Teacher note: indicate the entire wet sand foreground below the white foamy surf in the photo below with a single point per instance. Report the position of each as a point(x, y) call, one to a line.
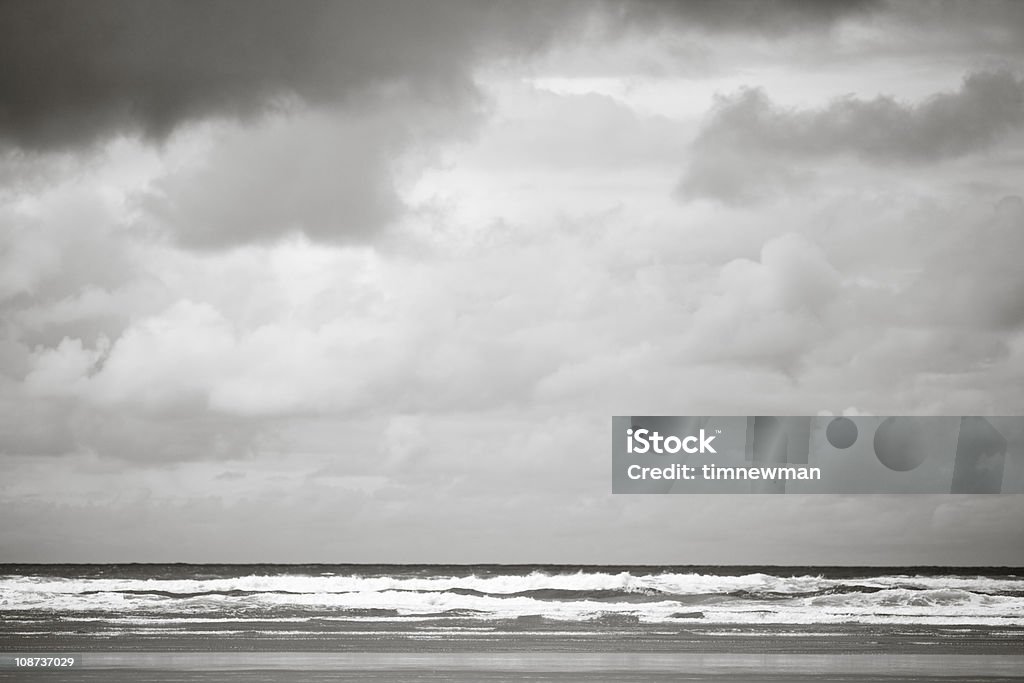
point(621, 655)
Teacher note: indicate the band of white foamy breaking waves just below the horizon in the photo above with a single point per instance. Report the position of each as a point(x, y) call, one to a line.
point(754, 599)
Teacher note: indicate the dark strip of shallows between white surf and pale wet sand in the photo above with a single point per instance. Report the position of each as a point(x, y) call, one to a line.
point(538, 636)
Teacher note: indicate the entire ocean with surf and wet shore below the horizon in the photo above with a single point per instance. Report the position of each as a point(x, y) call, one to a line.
point(267, 622)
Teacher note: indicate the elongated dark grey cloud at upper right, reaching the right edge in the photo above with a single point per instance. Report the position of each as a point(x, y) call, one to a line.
point(751, 147)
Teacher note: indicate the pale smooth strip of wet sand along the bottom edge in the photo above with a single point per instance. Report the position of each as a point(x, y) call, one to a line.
point(534, 666)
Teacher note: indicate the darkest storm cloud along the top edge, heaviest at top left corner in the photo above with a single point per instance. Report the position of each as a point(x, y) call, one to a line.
point(76, 71)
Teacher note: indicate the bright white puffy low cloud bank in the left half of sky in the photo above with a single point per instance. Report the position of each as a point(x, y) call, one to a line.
point(191, 359)
